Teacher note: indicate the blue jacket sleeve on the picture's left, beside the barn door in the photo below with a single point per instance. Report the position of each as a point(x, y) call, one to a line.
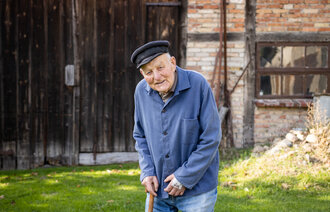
point(141, 145)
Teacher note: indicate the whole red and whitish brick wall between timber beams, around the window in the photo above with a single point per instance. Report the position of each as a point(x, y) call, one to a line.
point(272, 16)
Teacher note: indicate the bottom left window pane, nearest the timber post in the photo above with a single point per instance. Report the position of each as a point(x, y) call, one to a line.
point(270, 85)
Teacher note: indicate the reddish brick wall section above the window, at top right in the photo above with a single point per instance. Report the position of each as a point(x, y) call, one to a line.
point(293, 16)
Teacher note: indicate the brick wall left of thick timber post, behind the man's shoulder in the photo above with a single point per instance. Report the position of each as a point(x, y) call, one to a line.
point(204, 17)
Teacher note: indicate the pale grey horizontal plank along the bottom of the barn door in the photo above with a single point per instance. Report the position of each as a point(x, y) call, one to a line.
point(107, 158)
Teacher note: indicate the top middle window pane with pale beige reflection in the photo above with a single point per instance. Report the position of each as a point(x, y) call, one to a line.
point(293, 56)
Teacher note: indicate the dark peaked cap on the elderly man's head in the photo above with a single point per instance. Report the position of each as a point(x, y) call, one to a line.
point(149, 51)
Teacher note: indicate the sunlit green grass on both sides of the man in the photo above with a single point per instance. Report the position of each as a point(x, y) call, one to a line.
point(247, 183)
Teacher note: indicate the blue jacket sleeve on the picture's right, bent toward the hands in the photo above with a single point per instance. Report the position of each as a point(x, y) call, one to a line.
point(192, 170)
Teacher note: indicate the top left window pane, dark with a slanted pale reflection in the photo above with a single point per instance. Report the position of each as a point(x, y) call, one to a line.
point(270, 56)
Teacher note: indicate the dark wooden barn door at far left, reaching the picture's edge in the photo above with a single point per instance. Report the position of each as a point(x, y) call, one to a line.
point(35, 103)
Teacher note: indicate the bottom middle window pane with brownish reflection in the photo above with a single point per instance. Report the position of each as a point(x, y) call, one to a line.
point(292, 84)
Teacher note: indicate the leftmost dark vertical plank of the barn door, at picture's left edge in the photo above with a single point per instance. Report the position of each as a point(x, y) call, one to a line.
point(9, 73)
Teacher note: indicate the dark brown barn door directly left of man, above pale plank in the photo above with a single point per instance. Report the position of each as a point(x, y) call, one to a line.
point(108, 33)
